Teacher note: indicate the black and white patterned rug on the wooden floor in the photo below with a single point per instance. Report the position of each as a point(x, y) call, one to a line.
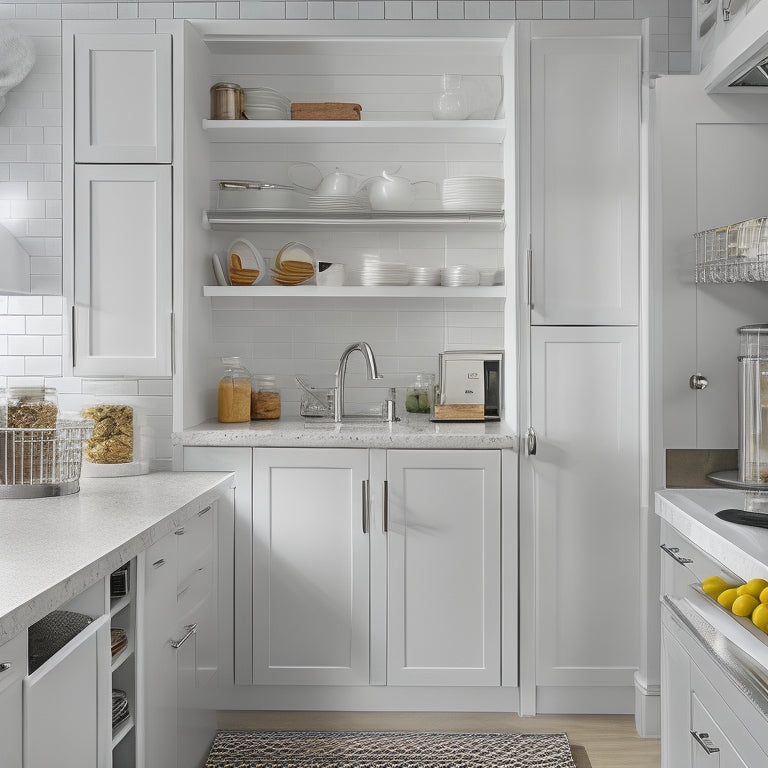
point(388, 749)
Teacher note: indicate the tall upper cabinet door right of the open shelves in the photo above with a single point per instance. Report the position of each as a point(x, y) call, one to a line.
point(585, 182)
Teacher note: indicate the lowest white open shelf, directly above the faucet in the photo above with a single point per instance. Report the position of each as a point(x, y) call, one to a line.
point(359, 291)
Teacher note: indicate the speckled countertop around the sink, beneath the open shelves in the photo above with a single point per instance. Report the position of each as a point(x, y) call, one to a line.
point(292, 433)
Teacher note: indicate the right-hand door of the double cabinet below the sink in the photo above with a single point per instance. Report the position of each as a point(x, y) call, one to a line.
point(444, 567)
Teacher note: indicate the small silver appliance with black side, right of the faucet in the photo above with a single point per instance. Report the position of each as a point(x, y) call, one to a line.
point(471, 386)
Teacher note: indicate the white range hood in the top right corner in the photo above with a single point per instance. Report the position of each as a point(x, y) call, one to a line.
point(740, 62)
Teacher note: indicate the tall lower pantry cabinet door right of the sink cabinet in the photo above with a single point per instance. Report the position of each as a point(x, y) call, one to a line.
point(581, 493)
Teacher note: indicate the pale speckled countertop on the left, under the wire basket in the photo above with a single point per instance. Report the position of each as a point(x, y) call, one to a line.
point(52, 549)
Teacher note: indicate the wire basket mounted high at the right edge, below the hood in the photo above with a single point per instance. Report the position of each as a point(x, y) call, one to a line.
point(737, 253)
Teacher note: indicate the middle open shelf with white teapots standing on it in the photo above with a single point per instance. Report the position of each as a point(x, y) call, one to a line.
point(489, 221)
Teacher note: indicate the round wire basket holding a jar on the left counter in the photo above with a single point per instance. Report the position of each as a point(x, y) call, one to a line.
point(36, 462)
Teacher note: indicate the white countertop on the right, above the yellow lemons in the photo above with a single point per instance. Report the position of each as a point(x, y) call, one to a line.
point(743, 549)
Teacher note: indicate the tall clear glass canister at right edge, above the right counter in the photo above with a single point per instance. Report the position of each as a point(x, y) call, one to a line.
point(753, 404)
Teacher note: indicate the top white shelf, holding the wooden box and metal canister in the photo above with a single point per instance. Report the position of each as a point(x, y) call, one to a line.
point(302, 131)
